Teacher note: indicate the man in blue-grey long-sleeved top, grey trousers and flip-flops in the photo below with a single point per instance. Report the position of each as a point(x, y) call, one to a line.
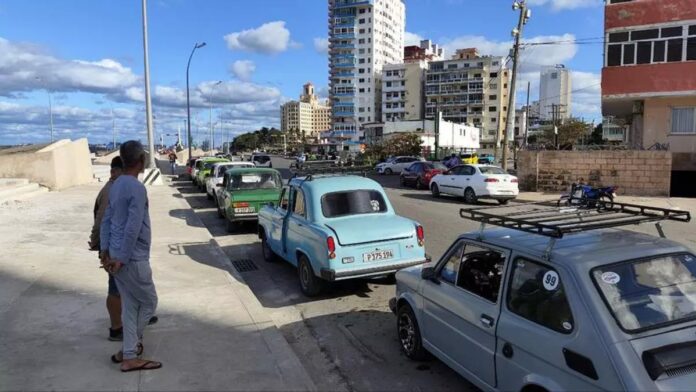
point(125, 251)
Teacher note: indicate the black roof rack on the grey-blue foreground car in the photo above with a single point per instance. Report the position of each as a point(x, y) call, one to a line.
point(548, 219)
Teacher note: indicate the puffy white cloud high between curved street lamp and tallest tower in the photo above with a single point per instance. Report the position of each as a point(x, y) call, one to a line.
point(271, 37)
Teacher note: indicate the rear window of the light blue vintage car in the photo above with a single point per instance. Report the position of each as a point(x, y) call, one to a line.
point(363, 201)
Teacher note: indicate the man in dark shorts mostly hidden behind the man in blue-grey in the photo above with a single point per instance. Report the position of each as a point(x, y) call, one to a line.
point(113, 300)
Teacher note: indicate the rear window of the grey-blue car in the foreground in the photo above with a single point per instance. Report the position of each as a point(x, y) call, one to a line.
point(649, 293)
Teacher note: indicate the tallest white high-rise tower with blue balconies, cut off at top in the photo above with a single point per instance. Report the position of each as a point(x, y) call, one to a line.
point(364, 35)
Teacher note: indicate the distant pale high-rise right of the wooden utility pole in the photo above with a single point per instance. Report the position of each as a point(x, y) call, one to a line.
point(554, 93)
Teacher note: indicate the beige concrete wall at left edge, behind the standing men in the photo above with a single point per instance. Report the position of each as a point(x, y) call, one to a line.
point(57, 166)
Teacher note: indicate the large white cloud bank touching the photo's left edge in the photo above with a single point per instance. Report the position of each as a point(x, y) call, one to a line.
point(26, 67)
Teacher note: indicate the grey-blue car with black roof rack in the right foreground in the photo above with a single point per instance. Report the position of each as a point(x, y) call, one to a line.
point(557, 298)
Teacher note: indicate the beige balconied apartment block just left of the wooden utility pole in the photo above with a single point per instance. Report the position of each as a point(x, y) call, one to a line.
point(470, 89)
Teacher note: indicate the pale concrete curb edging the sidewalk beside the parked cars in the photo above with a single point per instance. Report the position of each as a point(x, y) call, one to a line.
point(289, 365)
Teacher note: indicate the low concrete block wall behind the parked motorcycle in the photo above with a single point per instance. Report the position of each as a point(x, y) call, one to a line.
point(636, 173)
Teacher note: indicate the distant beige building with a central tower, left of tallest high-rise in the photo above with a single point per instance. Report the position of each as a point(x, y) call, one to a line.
point(307, 115)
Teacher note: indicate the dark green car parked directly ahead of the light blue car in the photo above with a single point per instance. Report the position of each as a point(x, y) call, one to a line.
point(244, 192)
